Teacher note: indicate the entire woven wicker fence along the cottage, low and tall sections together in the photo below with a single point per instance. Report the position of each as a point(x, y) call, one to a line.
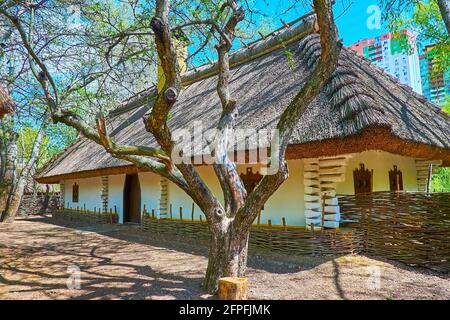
point(413, 228)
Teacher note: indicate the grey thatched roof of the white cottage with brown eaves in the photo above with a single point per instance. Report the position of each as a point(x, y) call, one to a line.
point(361, 108)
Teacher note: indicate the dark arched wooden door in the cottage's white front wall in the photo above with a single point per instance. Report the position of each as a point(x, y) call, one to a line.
point(132, 199)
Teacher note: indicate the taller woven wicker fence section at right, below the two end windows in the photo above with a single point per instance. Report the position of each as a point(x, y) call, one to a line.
point(413, 228)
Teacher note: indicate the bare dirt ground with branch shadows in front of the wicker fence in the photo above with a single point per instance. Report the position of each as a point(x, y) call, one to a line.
point(39, 259)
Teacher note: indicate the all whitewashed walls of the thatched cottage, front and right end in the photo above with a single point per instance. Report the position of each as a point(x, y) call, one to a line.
point(288, 201)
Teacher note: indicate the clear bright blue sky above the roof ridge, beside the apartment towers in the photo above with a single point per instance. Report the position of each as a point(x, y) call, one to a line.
point(351, 16)
